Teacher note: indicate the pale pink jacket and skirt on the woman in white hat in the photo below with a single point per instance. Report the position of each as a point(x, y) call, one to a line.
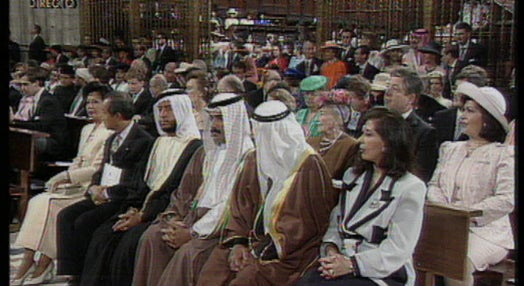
point(485, 180)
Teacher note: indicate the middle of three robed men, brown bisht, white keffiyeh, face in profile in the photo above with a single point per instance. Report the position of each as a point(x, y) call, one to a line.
point(173, 251)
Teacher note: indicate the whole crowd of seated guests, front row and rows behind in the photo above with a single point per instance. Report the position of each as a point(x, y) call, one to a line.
point(269, 166)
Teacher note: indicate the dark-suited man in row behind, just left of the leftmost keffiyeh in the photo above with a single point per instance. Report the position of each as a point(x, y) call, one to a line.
point(142, 98)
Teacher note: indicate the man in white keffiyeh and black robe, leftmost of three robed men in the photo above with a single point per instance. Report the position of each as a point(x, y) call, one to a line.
point(110, 255)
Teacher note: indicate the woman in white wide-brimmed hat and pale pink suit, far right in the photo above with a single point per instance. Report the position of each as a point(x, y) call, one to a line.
point(479, 174)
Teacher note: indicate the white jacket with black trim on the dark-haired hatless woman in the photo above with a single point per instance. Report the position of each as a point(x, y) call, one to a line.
point(390, 237)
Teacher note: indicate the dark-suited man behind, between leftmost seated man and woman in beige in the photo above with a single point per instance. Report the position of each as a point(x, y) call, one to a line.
point(66, 91)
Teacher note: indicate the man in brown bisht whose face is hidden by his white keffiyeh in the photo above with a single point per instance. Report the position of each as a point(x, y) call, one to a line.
point(275, 229)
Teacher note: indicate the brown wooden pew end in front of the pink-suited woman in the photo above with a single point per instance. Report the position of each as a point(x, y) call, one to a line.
point(443, 242)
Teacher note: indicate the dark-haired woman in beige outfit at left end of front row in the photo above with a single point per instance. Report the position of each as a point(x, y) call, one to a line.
point(38, 231)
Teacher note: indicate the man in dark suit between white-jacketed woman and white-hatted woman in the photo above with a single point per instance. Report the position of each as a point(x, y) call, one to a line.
point(404, 89)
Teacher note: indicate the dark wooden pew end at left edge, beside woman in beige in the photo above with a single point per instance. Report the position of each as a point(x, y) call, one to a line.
point(23, 157)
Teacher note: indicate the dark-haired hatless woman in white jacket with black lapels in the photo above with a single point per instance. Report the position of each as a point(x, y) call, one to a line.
point(375, 227)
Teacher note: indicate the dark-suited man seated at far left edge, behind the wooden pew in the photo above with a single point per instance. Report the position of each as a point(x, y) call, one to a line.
point(44, 114)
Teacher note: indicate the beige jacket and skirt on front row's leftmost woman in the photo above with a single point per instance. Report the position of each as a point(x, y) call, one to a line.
point(38, 231)
